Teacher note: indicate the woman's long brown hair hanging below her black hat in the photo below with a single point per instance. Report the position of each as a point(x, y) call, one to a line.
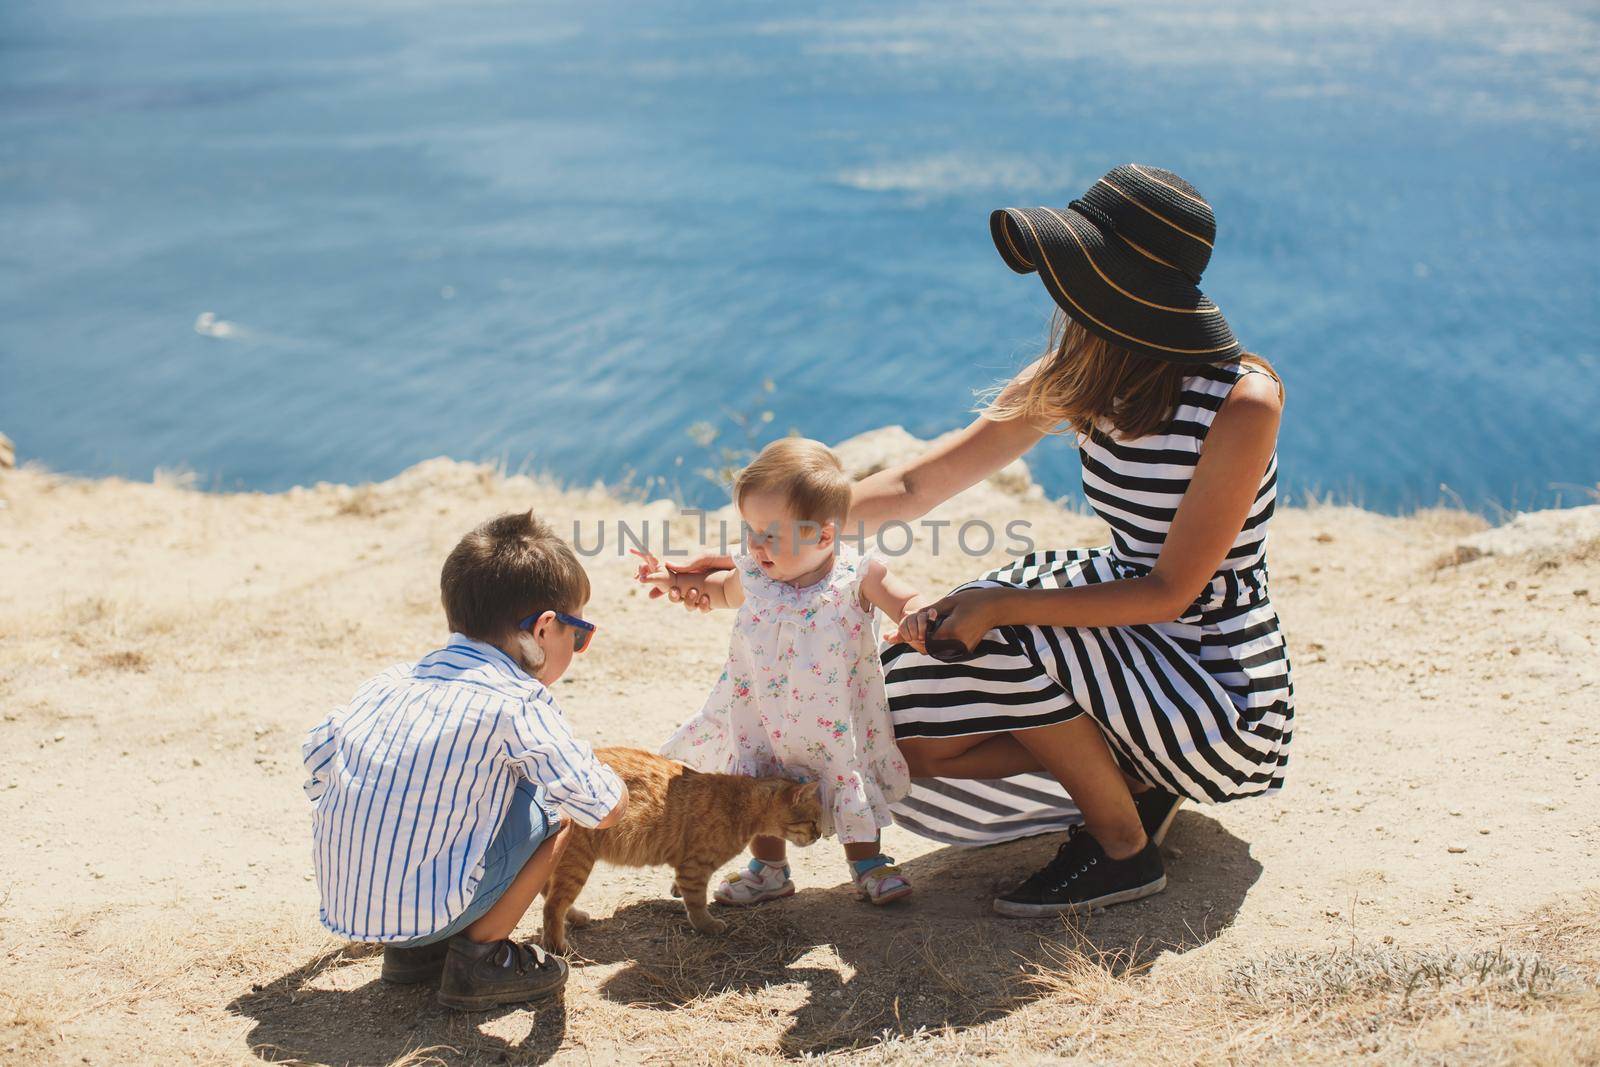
point(1082, 383)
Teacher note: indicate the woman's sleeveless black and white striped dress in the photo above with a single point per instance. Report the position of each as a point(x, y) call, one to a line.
point(1202, 706)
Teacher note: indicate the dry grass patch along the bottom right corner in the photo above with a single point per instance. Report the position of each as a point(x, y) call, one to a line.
point(1362, 1004)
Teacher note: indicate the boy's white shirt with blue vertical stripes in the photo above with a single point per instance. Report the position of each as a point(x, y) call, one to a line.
point(412, 778)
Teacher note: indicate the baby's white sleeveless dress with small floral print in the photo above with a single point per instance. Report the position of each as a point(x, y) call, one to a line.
point(802, 698)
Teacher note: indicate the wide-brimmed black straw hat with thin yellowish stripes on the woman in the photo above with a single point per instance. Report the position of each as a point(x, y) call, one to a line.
point(1126, 263)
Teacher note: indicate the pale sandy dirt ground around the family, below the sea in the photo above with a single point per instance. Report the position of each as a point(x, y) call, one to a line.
point(1428, 887)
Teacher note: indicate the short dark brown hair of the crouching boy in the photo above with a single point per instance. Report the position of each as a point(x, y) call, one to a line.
point(506, 570)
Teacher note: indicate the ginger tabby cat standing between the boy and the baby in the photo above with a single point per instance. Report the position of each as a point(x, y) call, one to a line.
point(684, 820)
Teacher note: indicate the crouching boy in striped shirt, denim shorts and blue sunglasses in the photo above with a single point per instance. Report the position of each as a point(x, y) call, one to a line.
point(442, 791)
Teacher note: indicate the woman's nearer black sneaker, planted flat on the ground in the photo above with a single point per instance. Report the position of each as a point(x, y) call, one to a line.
point(1082, 877)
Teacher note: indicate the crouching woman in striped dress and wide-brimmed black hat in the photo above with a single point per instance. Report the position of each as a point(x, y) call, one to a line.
point(1097, 689)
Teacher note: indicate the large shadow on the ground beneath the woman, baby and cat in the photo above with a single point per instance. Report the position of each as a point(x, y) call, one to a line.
point(945, 962)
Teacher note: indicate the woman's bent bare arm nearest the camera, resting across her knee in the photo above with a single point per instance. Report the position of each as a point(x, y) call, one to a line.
point(1214, 511)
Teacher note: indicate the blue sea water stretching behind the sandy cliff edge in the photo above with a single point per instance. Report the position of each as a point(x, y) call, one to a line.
point(564, 234)
